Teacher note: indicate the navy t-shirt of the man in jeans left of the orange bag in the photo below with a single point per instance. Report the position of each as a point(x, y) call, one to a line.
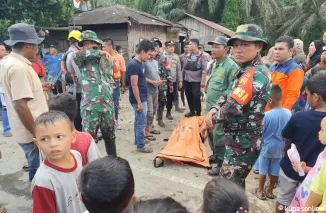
point(137, 68)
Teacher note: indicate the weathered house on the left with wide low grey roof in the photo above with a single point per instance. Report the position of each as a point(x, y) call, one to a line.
point(126, 26)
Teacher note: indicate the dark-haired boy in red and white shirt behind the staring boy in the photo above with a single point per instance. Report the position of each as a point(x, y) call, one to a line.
point(84, 143)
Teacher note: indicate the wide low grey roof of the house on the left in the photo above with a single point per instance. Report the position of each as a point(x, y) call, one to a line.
point(119, 14)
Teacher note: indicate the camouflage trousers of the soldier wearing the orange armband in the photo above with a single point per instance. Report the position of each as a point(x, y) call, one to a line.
point(240, 155)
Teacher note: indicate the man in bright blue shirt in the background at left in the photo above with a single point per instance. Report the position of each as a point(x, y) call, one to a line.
point(53, 65)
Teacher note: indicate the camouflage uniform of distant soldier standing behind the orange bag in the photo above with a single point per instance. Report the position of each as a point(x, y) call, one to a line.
point(164, 75)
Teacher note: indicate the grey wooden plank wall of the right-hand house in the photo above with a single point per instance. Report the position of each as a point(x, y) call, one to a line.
point(200, 31)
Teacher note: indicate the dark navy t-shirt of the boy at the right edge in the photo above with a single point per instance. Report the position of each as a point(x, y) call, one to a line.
point(303, 129)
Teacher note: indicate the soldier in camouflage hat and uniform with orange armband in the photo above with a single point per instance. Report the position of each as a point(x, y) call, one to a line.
point(242, 109)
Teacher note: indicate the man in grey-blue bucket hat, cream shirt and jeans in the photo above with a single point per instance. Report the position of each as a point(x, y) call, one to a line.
point(23, 90)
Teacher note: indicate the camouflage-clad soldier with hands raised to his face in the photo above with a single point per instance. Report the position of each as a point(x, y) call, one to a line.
point(97, 108)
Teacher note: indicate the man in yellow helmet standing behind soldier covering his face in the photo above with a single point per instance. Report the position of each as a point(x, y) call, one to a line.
point(72, 73)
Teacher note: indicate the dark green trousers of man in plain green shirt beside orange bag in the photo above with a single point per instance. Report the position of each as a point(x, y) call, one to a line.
point(216, 142)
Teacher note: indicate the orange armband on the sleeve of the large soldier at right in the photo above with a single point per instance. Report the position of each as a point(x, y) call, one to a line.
point(243, 91)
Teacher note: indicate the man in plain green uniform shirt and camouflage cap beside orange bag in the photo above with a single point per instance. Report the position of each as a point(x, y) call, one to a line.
point(222, 75)
